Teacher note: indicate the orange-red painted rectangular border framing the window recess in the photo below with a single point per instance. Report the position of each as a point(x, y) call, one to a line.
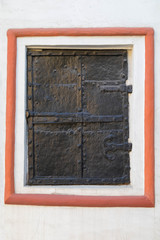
point(147, 200)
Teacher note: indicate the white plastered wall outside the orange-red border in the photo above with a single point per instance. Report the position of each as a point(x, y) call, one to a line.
point(64, 223)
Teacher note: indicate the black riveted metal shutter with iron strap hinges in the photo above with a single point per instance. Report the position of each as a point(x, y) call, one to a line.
point(77, 114)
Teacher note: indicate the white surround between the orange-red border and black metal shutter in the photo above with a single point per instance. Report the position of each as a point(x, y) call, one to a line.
point(136, 76)
